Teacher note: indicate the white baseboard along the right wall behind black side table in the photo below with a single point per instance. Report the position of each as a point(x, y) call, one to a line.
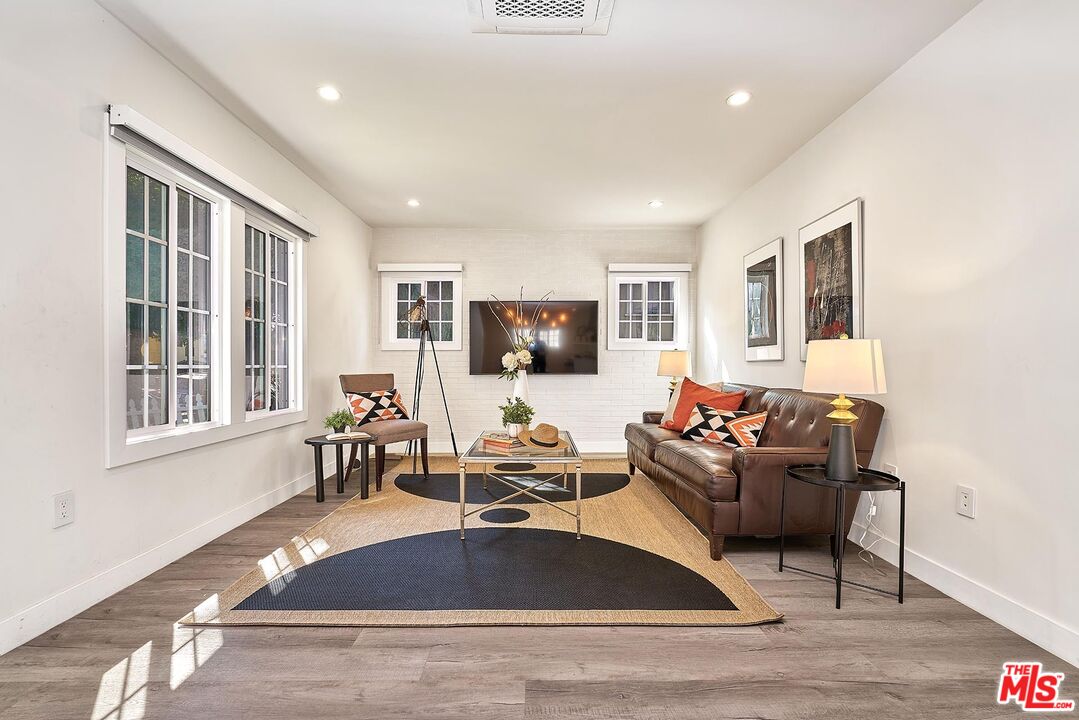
point(1044, 632)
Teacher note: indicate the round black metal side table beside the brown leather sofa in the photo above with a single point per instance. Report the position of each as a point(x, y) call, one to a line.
point(869, 481)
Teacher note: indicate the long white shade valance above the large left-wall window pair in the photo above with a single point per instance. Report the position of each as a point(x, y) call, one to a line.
point(125, 117)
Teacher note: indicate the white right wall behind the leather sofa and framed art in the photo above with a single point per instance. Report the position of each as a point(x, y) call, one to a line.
point(968, 162)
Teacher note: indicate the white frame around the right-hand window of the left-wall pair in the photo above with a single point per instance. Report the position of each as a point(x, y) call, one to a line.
point(295, 252)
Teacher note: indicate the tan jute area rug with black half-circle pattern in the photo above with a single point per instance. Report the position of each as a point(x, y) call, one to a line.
point(397, 560)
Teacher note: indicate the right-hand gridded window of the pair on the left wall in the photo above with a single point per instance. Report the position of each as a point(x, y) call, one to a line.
point(269, 319)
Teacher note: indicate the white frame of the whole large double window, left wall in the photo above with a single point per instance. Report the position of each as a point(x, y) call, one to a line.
point(229, 420)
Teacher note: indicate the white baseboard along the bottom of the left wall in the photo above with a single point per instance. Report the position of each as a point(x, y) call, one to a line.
point(32, 622)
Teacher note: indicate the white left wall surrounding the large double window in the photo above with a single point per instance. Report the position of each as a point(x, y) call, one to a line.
point(61, 64)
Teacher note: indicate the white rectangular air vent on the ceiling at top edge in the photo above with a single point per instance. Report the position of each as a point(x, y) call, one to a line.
point(541, 17)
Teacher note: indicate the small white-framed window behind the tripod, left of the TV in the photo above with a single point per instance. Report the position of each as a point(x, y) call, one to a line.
point(402, 287)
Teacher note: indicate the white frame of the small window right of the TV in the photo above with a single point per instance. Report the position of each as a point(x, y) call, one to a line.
point(634, 274)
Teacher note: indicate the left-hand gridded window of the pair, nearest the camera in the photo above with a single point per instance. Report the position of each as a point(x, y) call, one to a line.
point(172, 295)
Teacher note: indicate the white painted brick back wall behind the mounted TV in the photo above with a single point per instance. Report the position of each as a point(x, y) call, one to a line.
point(573, 265)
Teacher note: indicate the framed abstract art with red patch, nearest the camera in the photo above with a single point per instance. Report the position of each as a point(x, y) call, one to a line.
point(830, 281)
